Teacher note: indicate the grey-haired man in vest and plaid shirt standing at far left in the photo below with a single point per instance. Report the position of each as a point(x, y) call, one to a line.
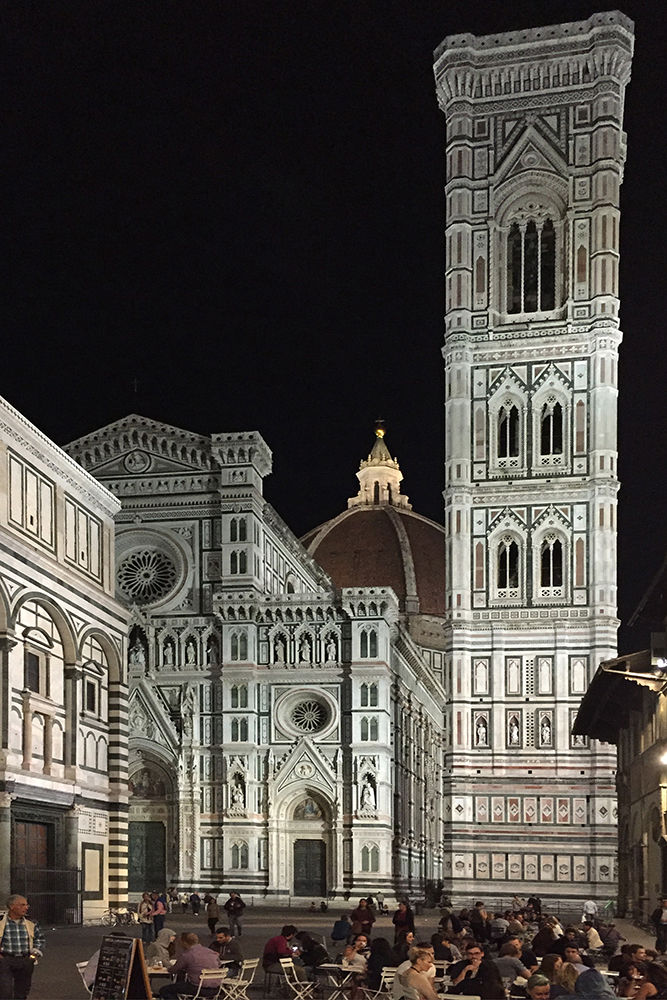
point(21, 943)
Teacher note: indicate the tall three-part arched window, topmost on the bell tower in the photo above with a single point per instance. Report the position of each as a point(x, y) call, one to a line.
point(531, 267)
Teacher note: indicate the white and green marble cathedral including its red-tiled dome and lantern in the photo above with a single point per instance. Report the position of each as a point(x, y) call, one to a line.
point(286, 733)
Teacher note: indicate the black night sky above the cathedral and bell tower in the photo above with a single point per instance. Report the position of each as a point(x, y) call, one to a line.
point(229, 216)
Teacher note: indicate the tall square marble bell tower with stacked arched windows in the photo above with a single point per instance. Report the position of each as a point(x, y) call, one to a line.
point(535, 154)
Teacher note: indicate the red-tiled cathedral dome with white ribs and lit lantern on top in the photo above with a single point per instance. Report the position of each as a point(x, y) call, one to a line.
point(380, 542)
